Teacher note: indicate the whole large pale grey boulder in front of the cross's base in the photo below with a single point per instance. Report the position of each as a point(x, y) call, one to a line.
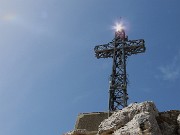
point(130, 120)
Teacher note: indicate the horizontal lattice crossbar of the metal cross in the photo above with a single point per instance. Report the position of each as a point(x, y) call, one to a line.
point(130, 47)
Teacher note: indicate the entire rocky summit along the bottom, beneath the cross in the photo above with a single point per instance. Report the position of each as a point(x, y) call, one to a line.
point(136, 119)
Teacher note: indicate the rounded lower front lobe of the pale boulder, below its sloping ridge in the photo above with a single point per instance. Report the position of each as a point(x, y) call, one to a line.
point(142, 124)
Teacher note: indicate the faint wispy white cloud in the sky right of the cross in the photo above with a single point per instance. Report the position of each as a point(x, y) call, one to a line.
point(171, 71)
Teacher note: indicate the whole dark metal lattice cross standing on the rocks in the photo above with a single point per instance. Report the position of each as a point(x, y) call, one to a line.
point(119, 49)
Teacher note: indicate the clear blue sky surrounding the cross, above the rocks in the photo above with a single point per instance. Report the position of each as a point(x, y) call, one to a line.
point(49, 72)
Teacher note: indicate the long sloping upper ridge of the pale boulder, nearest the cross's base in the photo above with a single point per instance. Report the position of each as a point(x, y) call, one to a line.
point(122, 117)
